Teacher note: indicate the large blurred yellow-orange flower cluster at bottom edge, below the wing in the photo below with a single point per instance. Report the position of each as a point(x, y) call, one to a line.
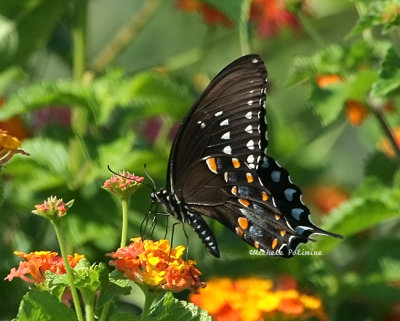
point(252, 299)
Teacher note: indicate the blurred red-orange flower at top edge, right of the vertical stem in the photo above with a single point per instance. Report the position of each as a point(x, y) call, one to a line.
point(271, 16)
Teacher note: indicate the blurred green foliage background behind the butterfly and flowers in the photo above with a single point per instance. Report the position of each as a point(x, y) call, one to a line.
point(78, 110)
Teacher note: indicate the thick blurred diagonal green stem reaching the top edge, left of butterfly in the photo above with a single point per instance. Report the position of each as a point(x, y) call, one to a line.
point(125, 36)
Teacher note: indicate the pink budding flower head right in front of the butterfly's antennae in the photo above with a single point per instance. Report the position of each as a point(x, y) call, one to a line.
point(123, 185)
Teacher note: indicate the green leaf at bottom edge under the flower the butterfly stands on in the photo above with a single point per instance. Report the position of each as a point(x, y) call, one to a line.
point(169, 308)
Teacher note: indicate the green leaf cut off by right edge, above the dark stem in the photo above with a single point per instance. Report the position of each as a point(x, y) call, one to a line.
point(389, 75)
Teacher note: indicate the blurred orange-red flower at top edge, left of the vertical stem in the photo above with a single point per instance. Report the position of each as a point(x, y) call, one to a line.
point(211, 15)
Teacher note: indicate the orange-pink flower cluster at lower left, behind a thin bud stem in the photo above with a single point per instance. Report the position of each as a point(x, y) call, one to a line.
point(37, 263)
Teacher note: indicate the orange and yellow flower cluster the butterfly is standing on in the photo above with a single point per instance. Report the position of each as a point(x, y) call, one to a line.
point(157, 265)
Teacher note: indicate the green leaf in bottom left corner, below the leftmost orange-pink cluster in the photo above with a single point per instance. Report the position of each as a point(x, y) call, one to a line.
point(43, 306)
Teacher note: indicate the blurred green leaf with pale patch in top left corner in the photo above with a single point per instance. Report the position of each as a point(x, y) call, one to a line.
point(25, 26)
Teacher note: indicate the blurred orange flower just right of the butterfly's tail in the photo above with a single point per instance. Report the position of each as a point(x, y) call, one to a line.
point(326, 197)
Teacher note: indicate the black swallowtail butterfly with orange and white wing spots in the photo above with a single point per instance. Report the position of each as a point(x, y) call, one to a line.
point(218, 167)
